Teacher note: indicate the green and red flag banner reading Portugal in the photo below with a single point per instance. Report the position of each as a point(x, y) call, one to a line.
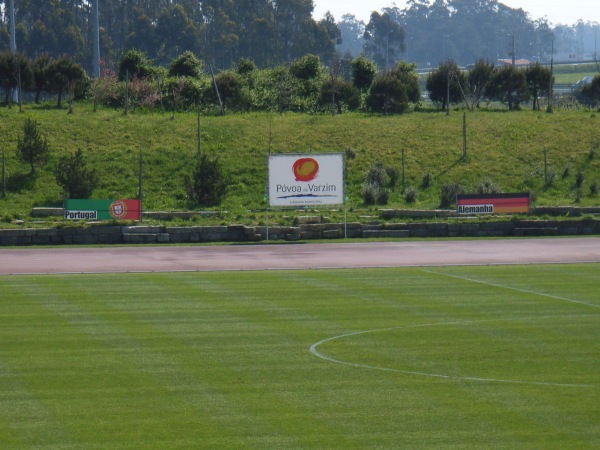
point(102, 209)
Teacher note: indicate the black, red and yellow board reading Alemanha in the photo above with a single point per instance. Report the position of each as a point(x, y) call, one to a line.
point(474, 204)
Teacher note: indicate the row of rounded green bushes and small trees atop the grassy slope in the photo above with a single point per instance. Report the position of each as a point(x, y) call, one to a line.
point(305, 85)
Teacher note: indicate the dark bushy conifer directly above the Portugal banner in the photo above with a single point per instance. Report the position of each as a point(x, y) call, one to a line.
point(73, 176)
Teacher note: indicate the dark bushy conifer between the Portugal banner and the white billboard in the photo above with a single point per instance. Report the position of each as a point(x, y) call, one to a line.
point(208, 183)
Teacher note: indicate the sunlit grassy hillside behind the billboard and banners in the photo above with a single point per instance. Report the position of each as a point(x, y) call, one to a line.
point(504, 148)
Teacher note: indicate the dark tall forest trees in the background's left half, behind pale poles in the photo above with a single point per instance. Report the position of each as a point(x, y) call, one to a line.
point(223, 31)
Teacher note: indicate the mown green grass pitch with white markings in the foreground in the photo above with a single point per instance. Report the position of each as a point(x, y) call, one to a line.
point(447, 357)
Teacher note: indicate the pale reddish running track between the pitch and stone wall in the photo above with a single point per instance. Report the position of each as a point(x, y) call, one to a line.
point(54, 260)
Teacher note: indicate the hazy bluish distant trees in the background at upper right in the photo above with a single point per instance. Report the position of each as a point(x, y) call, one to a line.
point(430, 31)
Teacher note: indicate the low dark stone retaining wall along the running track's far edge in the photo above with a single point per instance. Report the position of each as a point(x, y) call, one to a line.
point(240, 233)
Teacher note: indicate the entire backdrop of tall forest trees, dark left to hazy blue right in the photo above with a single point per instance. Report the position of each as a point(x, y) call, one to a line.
point(271, 32)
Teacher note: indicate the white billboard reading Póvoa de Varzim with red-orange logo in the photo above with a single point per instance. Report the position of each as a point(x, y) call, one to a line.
point(306, 180)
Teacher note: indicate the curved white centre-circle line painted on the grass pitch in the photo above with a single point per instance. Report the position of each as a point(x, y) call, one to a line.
point(315, 352)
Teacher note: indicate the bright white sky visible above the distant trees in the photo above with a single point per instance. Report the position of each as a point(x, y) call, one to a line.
point(564, 12)
